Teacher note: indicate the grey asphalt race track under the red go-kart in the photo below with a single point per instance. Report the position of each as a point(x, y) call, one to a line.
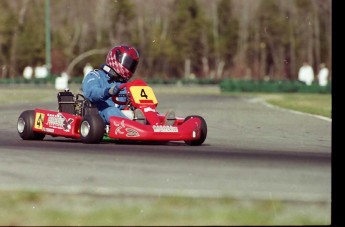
point(252, 151)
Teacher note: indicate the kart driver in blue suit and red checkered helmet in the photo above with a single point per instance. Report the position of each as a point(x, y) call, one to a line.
point(100, 85)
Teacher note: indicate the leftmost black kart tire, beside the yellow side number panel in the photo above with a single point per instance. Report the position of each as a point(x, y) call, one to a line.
point(24, 126)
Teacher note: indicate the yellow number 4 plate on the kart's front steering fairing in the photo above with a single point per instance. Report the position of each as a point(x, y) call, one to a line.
point(143, 95)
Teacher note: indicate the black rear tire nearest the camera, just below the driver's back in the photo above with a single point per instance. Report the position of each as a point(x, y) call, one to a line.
point(92, 129)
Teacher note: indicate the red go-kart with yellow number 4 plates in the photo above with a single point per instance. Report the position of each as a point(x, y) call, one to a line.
point(77, 118)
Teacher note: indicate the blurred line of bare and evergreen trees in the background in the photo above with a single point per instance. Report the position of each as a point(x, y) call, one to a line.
point(249, 39)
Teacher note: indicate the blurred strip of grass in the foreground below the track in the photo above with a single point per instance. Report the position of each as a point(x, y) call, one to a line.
point(34, 208)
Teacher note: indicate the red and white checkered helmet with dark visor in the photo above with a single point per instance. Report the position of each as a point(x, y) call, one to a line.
point(123, 60)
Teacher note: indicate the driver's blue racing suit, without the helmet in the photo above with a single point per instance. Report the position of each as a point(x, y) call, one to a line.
point(95, 87)
